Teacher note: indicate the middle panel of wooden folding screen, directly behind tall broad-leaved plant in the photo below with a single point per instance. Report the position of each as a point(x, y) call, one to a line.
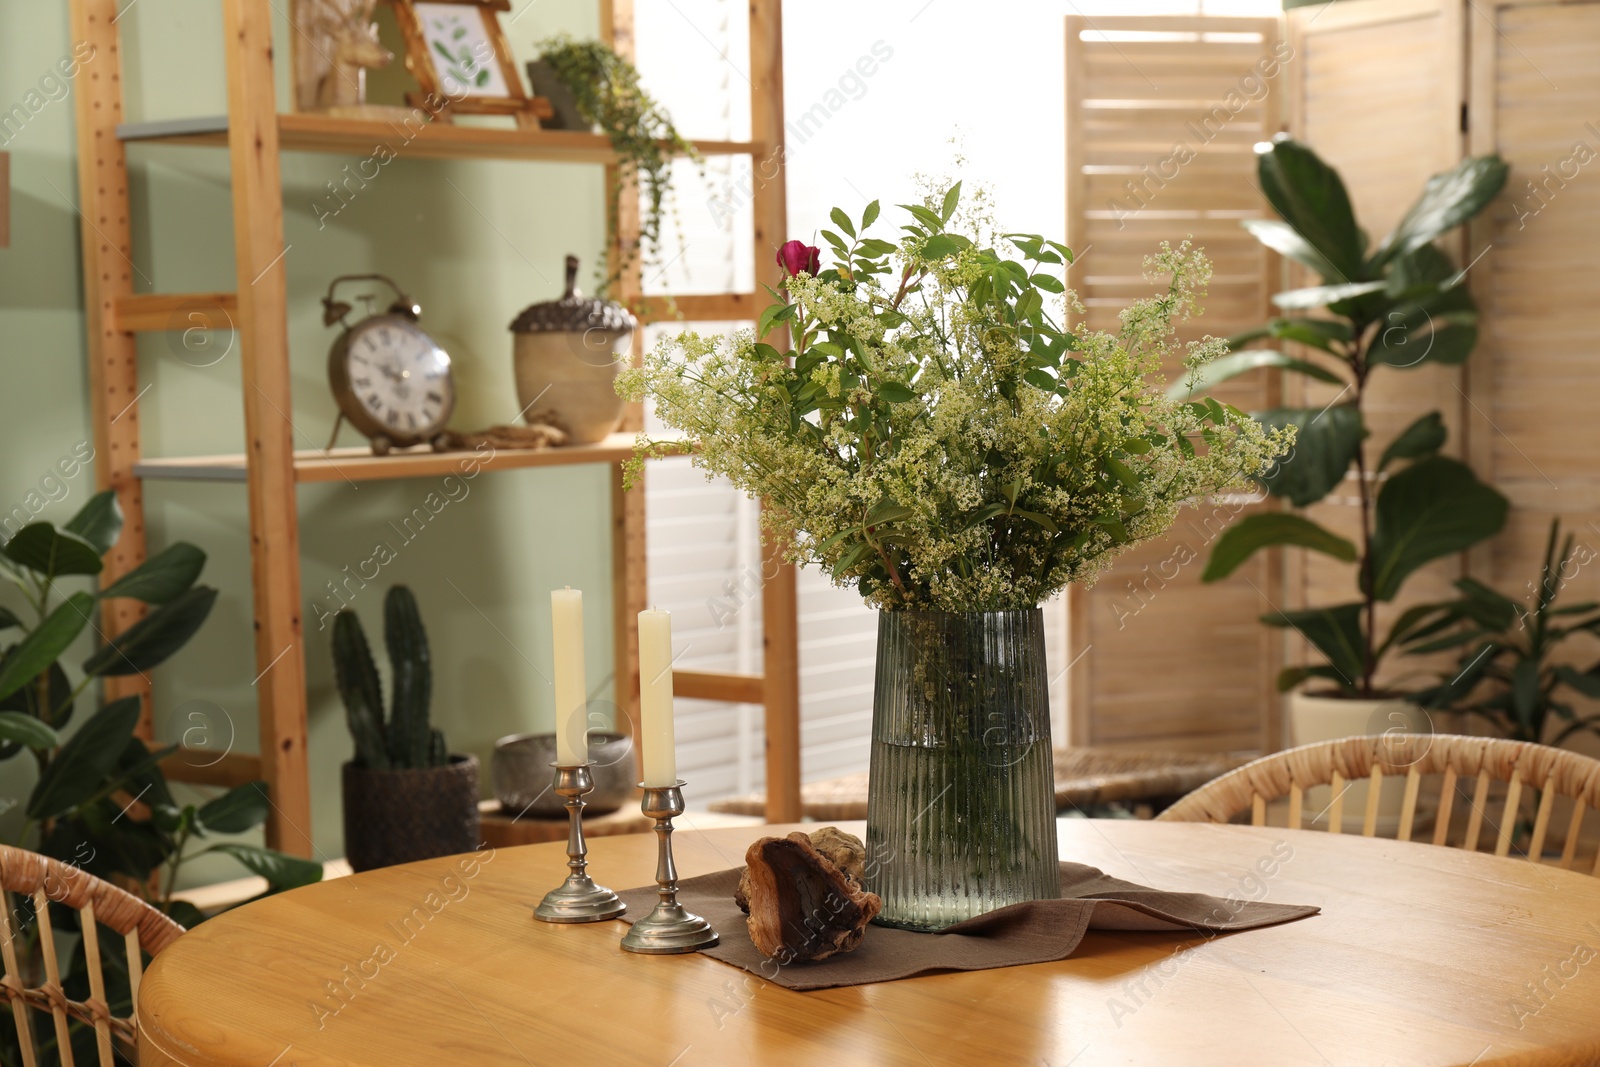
point(1377, 90)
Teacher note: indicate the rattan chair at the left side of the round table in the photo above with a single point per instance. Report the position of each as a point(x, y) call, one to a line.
point(143, 929)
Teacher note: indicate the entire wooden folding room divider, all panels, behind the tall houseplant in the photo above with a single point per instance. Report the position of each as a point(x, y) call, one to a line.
point(1390, 92)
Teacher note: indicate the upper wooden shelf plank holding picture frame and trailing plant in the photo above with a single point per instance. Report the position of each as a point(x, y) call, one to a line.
point(351, 137)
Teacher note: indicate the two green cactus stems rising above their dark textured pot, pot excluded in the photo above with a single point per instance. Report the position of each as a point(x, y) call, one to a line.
point(407, 741)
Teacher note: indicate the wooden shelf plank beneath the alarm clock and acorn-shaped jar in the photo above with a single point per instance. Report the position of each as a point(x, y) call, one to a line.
point(361, 465)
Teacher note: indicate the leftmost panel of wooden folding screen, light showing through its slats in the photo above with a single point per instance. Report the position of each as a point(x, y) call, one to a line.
point(1162, 114)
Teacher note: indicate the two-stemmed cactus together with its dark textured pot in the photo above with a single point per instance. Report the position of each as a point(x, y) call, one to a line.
point(406, 796)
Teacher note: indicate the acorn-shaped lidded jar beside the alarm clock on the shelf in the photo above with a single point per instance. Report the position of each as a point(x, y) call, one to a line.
point(567, 356)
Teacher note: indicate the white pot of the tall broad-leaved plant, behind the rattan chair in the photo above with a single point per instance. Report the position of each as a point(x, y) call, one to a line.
point(1329, 719)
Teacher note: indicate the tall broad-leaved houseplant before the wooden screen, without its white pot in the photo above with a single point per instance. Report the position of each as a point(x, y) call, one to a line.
point(1386, 310)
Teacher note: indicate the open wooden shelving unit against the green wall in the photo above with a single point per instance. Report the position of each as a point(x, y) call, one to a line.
point(255, 135)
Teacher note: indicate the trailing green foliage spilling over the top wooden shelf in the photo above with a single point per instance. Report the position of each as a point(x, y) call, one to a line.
point(607, 92)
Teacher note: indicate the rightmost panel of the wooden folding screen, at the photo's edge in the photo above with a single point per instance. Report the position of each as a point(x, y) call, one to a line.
point(1535, 380)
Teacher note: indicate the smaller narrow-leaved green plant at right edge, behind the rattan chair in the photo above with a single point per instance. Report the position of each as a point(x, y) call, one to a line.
point(1506, 673)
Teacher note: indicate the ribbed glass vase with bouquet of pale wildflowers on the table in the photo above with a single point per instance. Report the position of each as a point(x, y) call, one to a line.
point(937, 439)
